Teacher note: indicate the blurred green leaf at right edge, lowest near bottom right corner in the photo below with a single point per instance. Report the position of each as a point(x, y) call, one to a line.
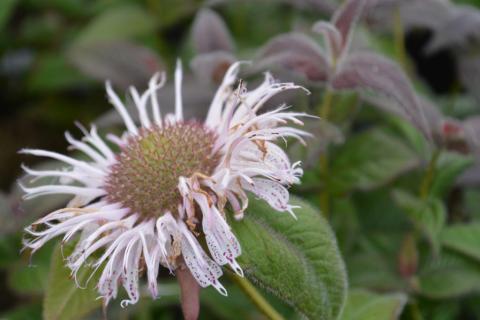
point(450, 275)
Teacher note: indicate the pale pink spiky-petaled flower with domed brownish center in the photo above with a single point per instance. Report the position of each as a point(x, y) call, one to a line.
point(168, 185)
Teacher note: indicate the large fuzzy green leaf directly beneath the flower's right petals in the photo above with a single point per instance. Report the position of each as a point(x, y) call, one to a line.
point(297, 260)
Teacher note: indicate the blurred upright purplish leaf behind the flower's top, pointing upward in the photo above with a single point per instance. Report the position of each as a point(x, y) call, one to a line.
point(210, 33)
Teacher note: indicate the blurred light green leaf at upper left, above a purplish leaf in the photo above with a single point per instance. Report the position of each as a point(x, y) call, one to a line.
point(119, 23)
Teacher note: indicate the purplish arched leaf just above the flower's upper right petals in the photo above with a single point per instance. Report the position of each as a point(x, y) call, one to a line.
point(296, 52)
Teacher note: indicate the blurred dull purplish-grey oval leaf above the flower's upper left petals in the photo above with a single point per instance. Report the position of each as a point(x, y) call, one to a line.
point(122, 62)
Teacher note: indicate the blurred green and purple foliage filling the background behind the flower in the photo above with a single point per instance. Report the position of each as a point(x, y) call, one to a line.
point(394, 165)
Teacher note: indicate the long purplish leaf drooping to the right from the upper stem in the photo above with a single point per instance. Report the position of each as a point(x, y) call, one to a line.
point(374, 73)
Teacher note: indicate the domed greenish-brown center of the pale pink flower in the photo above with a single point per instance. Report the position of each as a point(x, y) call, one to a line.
point(146, 174)
